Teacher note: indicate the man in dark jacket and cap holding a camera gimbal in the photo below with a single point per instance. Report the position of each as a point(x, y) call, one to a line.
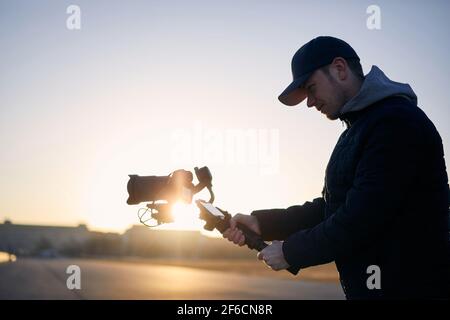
point(384, 203)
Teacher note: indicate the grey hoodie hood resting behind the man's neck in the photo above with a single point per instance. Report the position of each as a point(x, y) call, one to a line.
point(377, 86)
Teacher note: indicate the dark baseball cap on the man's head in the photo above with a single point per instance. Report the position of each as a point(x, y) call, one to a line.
point(311, 56)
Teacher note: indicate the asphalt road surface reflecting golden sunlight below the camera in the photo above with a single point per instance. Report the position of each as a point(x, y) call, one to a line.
point(46, 279)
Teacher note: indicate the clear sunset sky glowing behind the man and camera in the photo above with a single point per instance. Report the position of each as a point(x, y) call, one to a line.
point(148, 87)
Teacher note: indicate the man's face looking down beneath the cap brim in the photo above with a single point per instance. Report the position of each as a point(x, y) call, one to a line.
point(325, 93)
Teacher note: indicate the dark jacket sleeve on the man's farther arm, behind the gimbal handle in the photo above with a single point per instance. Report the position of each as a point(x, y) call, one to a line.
point(278, 224)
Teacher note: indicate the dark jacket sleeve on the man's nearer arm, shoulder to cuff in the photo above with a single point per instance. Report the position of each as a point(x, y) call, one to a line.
point(387, 166)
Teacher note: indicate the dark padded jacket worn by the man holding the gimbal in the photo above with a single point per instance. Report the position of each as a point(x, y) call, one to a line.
point(384, 203)
